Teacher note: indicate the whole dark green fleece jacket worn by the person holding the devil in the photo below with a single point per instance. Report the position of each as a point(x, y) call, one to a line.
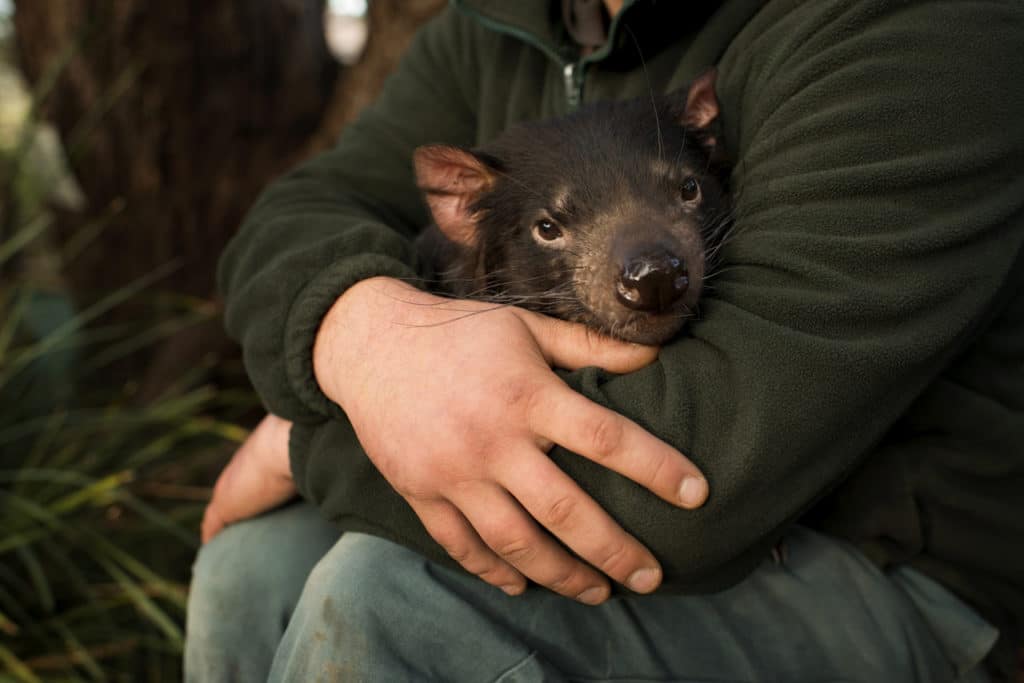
point(860, 365)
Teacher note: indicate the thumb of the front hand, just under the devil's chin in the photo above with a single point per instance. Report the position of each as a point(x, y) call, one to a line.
point(574, 346)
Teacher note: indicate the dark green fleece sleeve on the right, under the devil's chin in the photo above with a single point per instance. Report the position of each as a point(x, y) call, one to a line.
point(880, 218)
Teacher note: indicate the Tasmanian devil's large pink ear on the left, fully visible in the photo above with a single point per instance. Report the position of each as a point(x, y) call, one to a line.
point(452, 180)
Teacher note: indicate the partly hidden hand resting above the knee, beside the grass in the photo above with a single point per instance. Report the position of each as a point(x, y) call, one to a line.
point(258, 479)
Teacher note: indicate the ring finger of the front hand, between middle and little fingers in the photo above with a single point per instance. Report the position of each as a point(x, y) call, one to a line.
point(515, 537)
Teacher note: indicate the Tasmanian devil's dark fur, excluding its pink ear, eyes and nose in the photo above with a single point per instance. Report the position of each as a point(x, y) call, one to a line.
point(610, 176)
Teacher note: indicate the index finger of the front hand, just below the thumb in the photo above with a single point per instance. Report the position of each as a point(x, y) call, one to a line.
point(563, 416)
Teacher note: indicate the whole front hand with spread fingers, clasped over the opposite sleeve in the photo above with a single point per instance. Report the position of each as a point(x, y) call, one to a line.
point(456, 404)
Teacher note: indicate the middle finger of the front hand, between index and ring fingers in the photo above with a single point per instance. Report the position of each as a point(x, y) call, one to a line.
point(560, 505)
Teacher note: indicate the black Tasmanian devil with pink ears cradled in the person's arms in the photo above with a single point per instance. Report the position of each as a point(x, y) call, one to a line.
point(610, 217)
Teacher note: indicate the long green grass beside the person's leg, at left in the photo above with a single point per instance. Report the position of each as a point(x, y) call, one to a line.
point(101, 492)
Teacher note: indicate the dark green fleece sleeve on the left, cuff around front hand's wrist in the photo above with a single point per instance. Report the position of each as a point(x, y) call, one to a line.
point(350, 215)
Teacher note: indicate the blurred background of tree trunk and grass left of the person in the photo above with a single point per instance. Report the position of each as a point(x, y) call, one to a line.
point(134, 138)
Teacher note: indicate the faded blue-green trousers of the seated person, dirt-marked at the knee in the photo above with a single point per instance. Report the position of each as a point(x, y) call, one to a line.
point(283, 599)
